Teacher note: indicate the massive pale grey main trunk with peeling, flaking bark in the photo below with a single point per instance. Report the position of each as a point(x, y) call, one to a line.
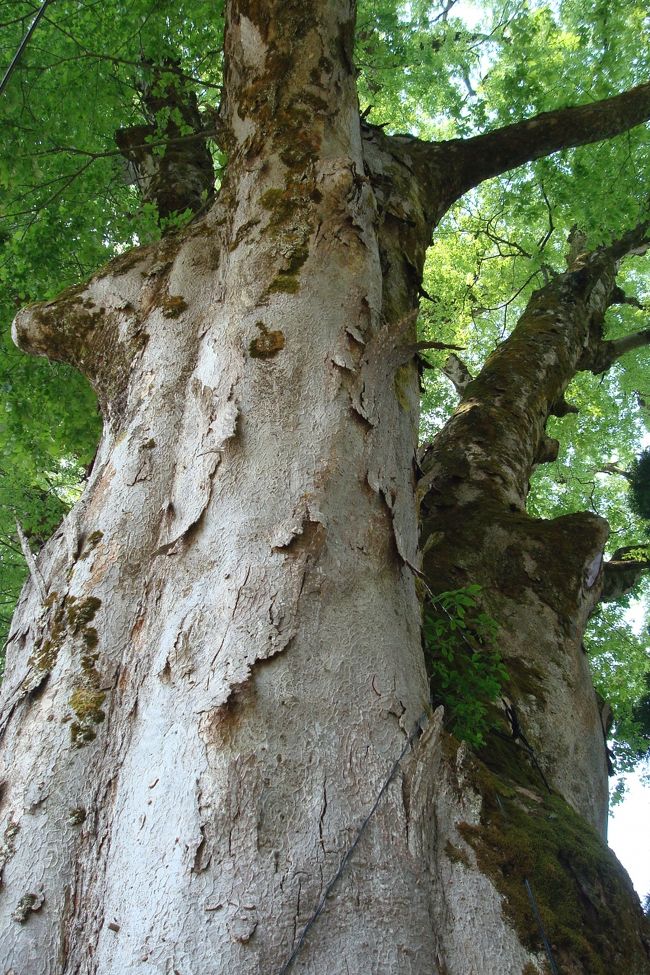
point(228, 659)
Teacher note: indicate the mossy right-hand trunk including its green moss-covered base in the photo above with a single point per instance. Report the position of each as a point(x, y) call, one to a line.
point(545, 758)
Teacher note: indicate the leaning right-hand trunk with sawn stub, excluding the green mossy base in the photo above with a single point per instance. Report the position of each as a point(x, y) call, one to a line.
point(476, 479)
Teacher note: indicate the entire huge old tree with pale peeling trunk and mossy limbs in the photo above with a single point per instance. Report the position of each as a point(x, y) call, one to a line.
point(217, 660)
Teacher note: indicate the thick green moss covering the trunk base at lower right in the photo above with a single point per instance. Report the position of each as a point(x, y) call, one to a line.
point(589, 910)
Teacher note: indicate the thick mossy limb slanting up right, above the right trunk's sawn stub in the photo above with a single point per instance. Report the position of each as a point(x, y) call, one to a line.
point(500, 422)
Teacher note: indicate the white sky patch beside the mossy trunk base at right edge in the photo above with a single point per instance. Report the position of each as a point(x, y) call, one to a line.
point(629, 834)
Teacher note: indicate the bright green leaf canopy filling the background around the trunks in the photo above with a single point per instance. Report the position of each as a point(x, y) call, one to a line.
point(438, 70)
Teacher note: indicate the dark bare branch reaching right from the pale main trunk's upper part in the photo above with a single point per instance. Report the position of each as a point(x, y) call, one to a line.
point(492, 153)
